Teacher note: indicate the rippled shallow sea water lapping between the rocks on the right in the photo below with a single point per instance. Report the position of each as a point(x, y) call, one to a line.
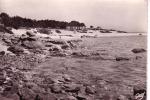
point(127, 73)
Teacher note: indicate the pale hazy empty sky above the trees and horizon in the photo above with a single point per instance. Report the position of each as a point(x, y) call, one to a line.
point(126, 15)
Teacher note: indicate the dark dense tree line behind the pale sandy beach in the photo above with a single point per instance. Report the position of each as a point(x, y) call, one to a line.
point(17, 22)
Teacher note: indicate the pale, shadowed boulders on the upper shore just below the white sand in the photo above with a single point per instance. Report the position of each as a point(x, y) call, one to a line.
point(32, 44)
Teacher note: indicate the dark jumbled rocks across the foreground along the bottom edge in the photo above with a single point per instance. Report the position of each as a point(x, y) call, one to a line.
point(16, 86)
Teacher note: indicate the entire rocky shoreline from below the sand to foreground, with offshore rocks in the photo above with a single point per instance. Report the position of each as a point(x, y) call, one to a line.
point(23, 77)
